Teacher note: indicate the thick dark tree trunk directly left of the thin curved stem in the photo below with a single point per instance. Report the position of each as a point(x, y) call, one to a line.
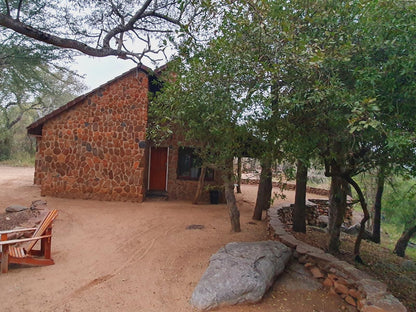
point(337, 208)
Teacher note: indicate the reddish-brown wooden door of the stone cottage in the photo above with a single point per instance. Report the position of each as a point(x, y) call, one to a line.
point(158, 166)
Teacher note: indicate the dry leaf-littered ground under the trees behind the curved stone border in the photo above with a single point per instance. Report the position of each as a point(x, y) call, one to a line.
point(398, 273)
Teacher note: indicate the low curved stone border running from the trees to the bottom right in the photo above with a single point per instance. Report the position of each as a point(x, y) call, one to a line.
point(354, 286)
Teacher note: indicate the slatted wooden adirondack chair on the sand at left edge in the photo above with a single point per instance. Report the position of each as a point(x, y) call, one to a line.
point(28, 255)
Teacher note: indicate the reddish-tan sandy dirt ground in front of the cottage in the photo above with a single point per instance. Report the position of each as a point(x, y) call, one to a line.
point(116, 256)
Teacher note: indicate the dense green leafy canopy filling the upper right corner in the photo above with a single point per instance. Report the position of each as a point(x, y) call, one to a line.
point(348, 68)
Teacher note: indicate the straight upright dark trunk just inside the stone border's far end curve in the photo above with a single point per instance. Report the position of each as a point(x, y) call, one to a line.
point(299, 210)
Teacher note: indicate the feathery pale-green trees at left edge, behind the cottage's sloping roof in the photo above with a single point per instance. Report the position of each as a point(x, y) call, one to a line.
point(33, 82)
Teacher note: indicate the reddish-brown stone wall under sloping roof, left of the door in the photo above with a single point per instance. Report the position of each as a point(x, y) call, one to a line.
point(91, 150)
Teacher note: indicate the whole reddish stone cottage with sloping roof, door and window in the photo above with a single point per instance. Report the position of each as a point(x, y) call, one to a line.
point(95, 147)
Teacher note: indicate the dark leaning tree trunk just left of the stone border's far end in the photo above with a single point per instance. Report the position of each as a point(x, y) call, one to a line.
point(264, 191)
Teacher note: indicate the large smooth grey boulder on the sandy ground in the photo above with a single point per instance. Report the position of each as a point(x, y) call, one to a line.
point(240, 272)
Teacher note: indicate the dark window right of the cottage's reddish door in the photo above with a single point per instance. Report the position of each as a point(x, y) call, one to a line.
point(189, 165)
